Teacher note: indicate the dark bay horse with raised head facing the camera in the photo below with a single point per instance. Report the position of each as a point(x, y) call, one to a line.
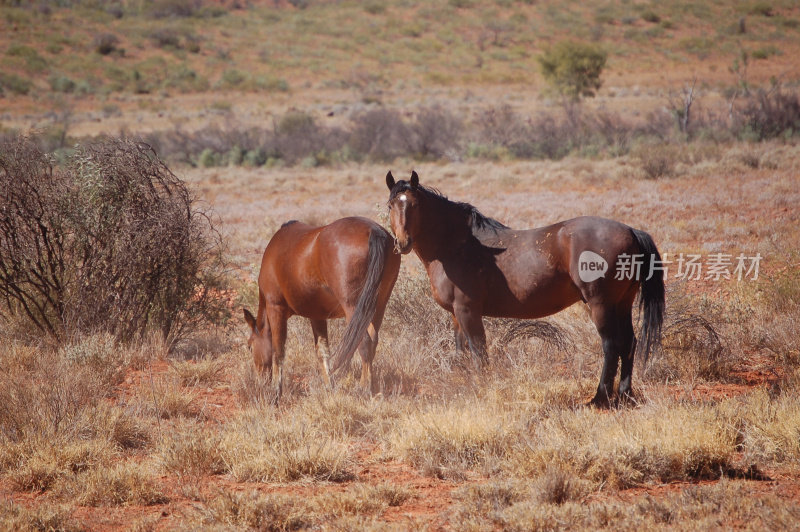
point(479, 267)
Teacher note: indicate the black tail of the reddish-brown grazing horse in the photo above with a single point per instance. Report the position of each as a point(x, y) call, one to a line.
point(367, 301)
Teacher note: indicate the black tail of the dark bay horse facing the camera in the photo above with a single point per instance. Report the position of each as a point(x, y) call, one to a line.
point(651, 299)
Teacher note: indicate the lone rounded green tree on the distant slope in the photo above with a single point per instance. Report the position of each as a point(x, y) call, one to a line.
point(573, 69)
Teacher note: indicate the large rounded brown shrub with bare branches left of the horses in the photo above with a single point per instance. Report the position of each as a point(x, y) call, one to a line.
point(82, 247)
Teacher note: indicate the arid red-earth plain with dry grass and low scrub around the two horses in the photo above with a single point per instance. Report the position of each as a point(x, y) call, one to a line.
point(96, 433)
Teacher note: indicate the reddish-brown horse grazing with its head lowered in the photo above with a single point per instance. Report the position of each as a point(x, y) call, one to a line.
point(345, 269)
